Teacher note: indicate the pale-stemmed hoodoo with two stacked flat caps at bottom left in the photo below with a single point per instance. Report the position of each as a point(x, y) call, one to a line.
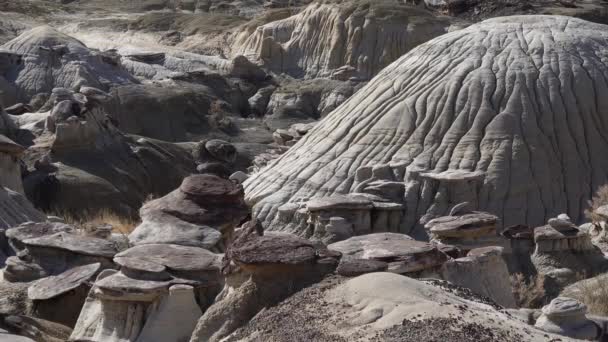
point(158, 295)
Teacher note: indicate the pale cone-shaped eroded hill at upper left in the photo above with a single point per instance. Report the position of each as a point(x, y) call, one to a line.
point(51, 59)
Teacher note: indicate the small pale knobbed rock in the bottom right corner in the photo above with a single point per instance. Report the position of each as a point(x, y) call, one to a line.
point(566, 316)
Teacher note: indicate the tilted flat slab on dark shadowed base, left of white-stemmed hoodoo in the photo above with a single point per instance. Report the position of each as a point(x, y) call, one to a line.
point(67, 290)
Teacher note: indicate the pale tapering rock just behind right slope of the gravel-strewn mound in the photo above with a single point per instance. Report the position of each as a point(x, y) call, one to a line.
point(485, 272)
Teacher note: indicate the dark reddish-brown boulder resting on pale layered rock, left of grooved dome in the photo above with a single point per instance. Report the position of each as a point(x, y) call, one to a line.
point(202, 210)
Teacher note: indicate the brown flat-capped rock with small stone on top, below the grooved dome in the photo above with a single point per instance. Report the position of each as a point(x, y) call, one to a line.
point(466, 231)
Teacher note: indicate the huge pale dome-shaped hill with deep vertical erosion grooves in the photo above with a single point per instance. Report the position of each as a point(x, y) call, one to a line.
point(508, 115)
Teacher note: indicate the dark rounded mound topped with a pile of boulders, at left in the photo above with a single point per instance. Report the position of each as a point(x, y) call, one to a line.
point(79, 146)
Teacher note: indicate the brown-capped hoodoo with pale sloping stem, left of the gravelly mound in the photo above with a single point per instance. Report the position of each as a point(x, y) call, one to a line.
point(261, 270)
